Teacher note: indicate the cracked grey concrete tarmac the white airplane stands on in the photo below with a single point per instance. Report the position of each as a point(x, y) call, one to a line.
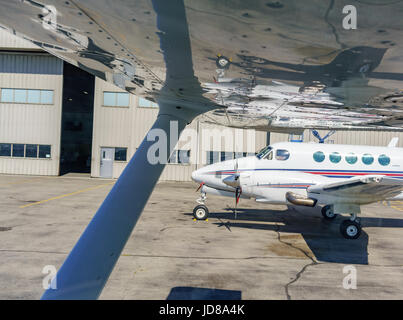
point(267, 252)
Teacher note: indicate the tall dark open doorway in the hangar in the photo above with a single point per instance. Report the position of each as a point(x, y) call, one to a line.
point(77, 120)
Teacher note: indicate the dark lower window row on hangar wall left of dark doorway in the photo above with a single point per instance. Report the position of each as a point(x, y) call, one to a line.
point(20, 150)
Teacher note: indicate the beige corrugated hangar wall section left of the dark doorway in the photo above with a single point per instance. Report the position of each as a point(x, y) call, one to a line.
point(25, 123)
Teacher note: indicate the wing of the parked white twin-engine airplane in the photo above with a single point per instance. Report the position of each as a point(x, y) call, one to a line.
point(361, 189)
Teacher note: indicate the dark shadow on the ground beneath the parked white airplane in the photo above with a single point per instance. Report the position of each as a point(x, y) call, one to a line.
point(322, 237)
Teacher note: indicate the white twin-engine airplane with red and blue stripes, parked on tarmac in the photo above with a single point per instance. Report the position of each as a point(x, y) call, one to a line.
point(340, 178)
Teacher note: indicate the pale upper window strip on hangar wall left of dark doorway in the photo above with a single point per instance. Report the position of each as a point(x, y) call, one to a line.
point(30, 96)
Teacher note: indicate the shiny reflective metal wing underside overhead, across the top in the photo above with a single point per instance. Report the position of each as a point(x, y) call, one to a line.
point(268, 65)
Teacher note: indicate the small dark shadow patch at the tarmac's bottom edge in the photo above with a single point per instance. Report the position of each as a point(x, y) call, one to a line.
point(195, 293)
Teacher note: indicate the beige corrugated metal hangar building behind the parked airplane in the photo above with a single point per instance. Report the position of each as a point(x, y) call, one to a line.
point(57, 119)
